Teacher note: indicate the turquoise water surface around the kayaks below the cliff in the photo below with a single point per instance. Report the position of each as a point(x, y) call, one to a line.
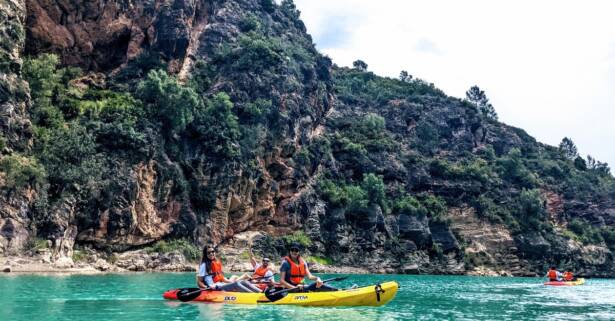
point(138, 297)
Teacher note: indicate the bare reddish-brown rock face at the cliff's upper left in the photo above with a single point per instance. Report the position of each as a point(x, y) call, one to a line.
point(104, 35)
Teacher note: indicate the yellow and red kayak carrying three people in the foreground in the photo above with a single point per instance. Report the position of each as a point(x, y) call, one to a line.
point(364, 296)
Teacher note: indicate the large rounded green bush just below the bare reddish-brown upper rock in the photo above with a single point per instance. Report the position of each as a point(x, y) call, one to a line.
point(173, 103)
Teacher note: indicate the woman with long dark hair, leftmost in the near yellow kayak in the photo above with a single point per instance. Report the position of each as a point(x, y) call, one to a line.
point(210, 275)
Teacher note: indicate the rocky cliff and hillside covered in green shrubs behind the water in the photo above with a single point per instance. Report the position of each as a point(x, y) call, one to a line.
point(203, 120)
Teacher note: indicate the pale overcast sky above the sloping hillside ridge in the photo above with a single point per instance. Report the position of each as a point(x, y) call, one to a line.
point(547, 66)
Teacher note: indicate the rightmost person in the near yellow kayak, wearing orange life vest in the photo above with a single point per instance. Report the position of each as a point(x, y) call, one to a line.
point(294, 270)
